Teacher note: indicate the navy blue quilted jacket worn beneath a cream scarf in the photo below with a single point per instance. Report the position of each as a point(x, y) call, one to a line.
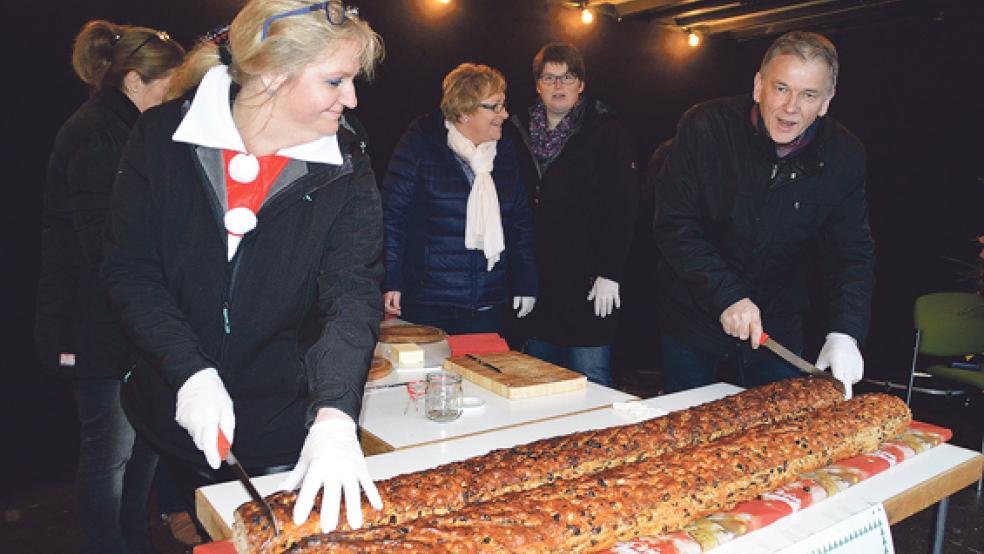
point(425, 196)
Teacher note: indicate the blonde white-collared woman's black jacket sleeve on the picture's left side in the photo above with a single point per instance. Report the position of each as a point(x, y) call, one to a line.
point(134, 275)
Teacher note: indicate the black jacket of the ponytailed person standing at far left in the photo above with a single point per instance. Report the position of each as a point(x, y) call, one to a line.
point(73, 315)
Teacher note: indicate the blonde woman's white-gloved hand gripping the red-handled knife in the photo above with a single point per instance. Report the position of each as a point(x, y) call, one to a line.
point(203, 408)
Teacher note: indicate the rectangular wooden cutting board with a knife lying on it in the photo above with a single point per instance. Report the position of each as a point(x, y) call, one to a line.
point(522, 376)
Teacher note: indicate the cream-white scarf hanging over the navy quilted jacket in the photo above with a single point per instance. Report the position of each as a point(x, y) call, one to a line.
point(483, 224)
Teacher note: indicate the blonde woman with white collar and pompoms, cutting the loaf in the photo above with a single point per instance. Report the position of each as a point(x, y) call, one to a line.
point(245, 257)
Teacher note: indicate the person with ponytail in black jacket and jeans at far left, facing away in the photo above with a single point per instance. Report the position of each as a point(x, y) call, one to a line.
point(127, 70)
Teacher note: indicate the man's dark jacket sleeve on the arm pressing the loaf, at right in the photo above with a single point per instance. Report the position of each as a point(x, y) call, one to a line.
point(847, 254)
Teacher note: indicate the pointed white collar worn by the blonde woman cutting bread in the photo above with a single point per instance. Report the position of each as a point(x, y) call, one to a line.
point(209, 123)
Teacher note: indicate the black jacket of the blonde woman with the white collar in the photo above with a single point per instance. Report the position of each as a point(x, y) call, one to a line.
point(290, 323)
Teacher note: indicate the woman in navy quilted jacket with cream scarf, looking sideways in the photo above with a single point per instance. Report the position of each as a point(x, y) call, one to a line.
point(459, 233)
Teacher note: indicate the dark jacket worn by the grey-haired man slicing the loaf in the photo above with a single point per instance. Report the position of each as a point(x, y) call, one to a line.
point(734, 221)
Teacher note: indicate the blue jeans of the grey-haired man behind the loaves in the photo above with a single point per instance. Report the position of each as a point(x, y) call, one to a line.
point(687, 367)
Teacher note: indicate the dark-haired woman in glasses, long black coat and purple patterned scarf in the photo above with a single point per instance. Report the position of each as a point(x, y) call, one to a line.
point(578, 163)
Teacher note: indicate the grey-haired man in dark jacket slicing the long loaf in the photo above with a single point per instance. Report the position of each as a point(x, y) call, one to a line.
point(755, 191)
